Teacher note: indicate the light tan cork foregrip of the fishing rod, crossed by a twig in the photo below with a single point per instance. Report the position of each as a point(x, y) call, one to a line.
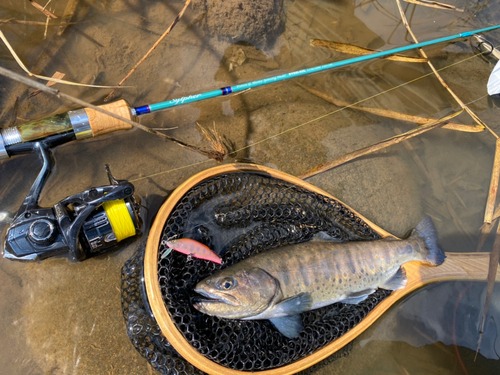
point(101, 123)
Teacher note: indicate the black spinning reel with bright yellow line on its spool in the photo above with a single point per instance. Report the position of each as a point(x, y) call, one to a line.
point(84, 224)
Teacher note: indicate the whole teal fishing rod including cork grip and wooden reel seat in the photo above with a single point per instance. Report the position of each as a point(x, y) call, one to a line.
point(85, 123)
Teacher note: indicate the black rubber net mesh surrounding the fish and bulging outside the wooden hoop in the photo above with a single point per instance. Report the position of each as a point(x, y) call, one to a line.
point(239, 214)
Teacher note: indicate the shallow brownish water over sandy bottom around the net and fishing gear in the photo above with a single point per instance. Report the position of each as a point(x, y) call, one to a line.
point(65, 318)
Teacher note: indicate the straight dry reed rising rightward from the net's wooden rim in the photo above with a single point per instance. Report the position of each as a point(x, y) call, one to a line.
point(376, 147)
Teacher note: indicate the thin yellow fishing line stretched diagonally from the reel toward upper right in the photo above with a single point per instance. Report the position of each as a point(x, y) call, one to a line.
point(318, 118)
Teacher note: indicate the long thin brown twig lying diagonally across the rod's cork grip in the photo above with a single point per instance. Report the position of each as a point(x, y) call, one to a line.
point(57, 93)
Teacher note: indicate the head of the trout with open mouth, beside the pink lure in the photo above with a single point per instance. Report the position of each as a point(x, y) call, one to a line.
point(237, 294)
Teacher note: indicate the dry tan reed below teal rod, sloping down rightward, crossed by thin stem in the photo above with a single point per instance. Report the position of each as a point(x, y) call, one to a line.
point(392, 114)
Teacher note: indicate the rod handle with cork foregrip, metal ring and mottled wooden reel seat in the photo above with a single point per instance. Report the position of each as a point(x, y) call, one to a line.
point(82, 123)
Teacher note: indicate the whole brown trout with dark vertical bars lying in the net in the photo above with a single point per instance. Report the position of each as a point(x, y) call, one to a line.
point(282, 283)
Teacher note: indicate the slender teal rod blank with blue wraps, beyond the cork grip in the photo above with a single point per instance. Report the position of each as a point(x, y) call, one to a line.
point(283, 77)
